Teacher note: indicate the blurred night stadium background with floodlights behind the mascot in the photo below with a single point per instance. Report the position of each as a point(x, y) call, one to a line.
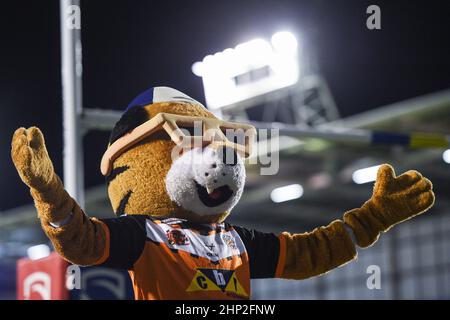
point(343, 84)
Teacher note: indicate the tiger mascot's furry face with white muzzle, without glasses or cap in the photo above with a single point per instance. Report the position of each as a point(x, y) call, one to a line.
point(198, 186)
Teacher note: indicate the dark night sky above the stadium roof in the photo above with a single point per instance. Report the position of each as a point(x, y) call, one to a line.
point(129, 46)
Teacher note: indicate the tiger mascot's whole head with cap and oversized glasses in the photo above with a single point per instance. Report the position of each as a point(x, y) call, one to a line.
point(169, 156)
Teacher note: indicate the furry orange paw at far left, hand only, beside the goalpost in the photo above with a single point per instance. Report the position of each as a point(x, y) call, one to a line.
point(31, 159)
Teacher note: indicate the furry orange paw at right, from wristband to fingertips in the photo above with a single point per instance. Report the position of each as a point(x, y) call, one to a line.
point(394, 200)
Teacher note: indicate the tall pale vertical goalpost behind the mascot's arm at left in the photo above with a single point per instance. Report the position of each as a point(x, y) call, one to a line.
point(71, 65)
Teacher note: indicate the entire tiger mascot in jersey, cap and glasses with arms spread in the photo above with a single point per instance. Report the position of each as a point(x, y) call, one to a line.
point(170, 231)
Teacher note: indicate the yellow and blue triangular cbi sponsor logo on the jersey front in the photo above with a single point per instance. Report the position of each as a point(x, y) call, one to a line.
point(217, 280)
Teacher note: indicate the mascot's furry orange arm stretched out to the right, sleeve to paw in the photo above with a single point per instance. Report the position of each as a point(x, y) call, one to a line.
point(395, 199)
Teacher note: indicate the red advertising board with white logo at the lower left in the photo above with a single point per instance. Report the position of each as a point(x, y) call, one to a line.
point(42, 279)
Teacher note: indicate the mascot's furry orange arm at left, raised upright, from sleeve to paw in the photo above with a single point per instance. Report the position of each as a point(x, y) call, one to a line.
point(80, 240)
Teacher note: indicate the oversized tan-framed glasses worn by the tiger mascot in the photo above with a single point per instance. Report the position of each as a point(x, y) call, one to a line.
point(186, 132)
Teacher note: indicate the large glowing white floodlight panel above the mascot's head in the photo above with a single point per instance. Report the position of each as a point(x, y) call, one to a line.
point(250, 69)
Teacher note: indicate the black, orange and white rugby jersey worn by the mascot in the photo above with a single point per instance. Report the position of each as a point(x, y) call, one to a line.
point(171, 258)
